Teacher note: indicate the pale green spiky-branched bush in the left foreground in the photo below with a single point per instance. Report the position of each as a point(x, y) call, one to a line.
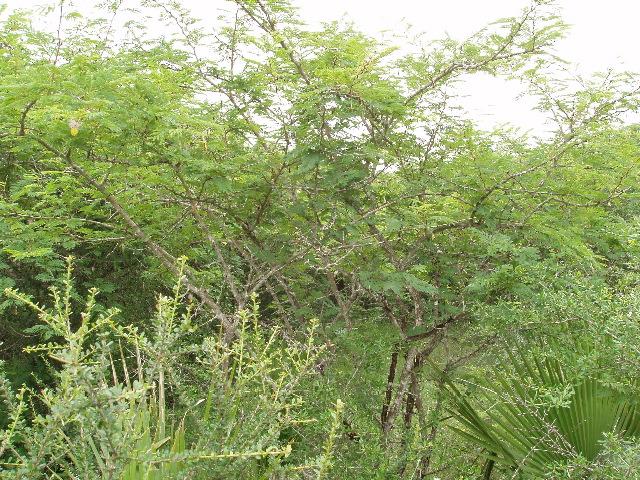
point(127, 404)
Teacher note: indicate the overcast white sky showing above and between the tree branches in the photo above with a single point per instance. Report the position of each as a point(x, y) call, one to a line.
point(603, 35)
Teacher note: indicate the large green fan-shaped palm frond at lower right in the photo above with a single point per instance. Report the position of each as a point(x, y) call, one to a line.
point(539, 417)
